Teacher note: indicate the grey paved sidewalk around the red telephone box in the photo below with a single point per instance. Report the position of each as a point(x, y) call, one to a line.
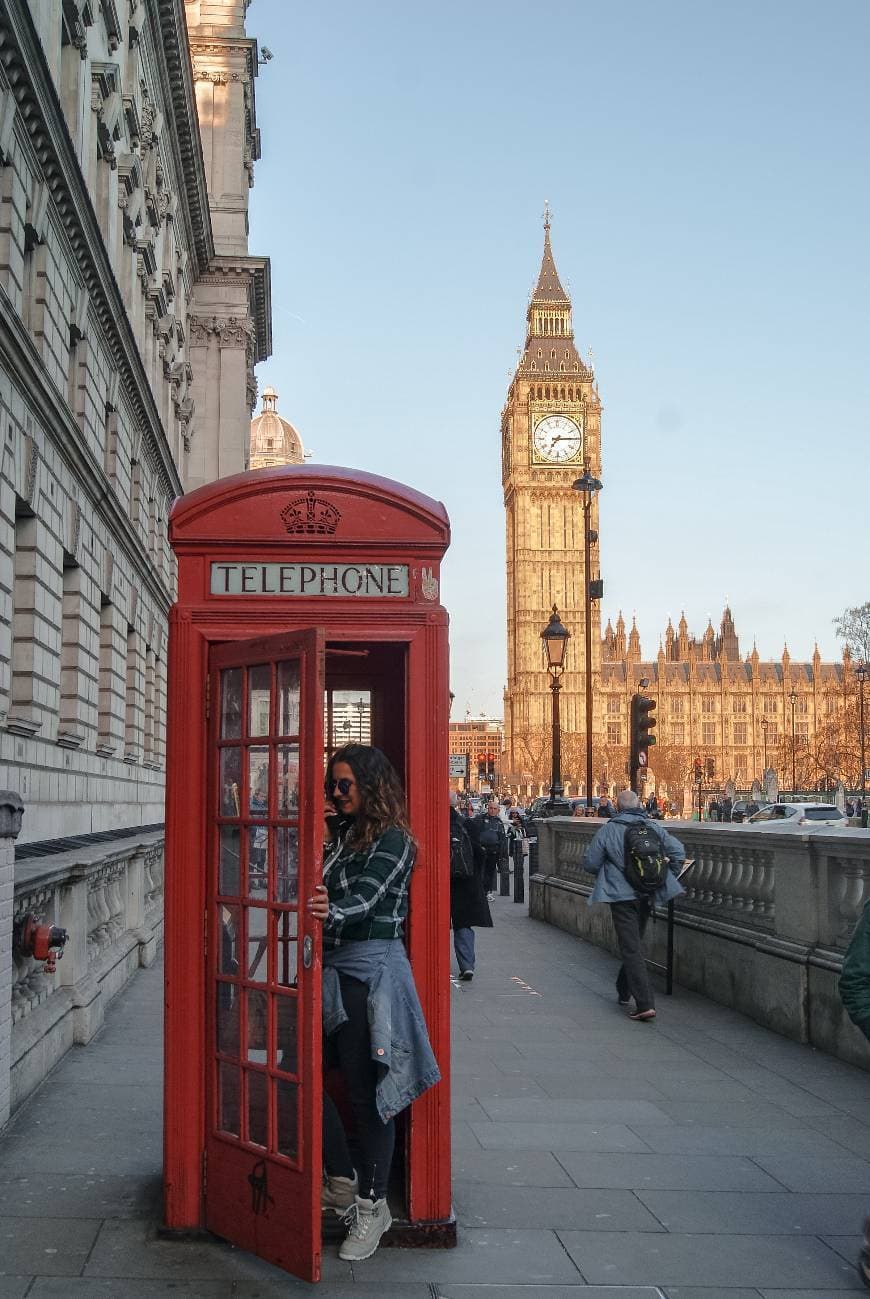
point(702, 1155)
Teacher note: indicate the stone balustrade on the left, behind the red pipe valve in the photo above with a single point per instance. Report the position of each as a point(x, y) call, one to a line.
point(110, 900)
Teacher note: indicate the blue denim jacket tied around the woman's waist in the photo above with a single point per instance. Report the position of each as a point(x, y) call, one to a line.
point(401, 1045)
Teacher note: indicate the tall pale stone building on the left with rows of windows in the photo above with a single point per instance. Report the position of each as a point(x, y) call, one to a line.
point(130, 322)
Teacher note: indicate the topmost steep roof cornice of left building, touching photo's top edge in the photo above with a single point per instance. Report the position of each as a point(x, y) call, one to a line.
point(172, 44)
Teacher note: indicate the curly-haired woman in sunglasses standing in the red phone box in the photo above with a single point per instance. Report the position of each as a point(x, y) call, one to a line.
point(375, 1031)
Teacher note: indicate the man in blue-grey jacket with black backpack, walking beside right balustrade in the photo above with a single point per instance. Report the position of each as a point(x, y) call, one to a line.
point(637, 864)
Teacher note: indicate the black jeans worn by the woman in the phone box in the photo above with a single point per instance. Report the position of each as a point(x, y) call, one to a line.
point(350, 1049)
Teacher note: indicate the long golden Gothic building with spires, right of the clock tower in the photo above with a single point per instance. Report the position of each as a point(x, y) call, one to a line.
point(739, 715)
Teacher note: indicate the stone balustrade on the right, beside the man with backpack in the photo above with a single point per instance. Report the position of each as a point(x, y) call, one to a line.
point(763, 926)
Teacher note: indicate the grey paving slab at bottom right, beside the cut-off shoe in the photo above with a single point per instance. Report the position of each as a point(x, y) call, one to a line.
point(671, 1259)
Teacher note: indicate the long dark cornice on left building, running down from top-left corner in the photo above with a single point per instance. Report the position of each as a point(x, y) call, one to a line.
point(24, 64)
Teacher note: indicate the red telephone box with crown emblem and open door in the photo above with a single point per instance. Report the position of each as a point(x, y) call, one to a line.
point(308, 615)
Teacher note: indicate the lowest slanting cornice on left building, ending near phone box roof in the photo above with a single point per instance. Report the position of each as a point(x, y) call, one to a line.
point(20, 358)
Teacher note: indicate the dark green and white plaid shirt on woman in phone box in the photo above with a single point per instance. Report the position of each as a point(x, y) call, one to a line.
point(368, 890)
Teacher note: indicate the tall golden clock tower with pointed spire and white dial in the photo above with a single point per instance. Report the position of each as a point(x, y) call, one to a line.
point(551, 432)
